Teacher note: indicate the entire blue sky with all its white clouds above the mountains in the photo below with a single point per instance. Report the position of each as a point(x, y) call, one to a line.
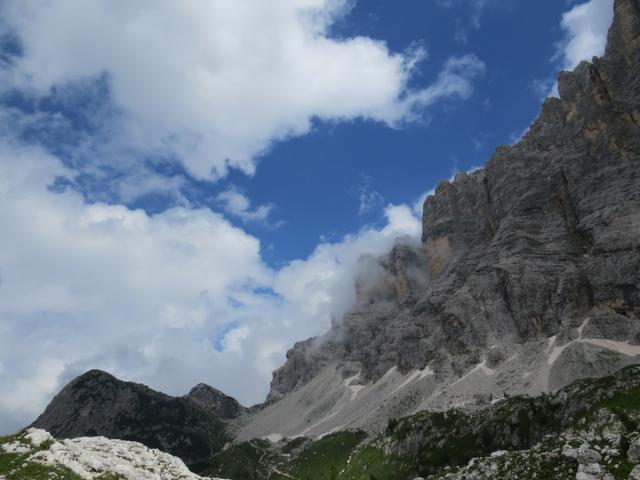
point(188, 187)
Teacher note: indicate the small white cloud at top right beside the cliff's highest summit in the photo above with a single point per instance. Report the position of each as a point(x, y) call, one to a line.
point(585, 26)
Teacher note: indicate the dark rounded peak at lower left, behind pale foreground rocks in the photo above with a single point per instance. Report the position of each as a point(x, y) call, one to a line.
point(98, 404)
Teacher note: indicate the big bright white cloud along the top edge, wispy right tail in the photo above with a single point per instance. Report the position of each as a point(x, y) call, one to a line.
point(217, 82)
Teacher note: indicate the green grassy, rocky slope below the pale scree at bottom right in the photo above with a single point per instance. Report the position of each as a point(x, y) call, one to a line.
point(531, 431)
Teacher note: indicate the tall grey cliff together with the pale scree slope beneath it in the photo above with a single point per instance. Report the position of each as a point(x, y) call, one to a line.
point(527, 276)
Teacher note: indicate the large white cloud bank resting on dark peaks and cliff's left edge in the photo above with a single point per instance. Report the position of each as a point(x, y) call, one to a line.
point(146, 297)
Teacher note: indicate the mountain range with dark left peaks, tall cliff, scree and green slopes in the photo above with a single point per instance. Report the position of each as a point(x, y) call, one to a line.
point(496, 336)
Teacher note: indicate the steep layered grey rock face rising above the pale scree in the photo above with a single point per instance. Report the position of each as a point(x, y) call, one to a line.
point(542, 244)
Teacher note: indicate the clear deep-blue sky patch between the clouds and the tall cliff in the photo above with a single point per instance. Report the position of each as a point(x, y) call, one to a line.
point(315, 181)
